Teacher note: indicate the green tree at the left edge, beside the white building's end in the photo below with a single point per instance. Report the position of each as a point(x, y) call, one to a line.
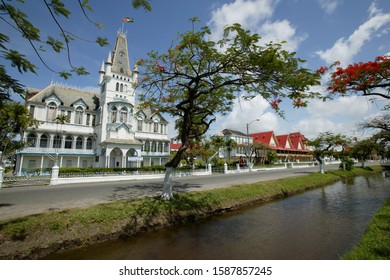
point(14, 118)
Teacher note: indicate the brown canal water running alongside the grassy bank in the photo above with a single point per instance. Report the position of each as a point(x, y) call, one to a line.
point(319, 224)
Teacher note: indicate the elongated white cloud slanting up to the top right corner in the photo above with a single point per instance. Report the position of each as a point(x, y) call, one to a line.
point(346, 49)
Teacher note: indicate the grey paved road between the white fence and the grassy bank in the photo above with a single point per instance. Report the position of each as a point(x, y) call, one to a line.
point(22, 201)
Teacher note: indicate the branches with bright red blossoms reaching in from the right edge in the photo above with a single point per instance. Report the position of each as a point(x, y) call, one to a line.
point(370, 78)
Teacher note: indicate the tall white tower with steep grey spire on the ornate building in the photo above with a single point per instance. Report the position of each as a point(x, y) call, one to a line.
point(117, 105)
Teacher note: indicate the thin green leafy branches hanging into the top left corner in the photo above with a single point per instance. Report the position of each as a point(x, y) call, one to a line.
point(16, 16)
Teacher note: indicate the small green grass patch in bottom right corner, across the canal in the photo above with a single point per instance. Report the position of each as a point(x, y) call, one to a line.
point(375, 243)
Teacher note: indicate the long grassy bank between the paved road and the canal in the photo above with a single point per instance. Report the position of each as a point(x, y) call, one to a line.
point(37, 235)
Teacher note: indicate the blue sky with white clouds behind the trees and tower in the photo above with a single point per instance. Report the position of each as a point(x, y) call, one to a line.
point(320, 31)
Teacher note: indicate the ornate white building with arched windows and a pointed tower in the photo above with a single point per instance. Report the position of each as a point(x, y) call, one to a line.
point(105, 130)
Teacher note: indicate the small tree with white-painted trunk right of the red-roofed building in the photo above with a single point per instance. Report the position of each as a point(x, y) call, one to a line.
point(325, 144)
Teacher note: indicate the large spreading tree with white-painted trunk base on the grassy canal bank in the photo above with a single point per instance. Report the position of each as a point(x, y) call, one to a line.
point(198, 78)
